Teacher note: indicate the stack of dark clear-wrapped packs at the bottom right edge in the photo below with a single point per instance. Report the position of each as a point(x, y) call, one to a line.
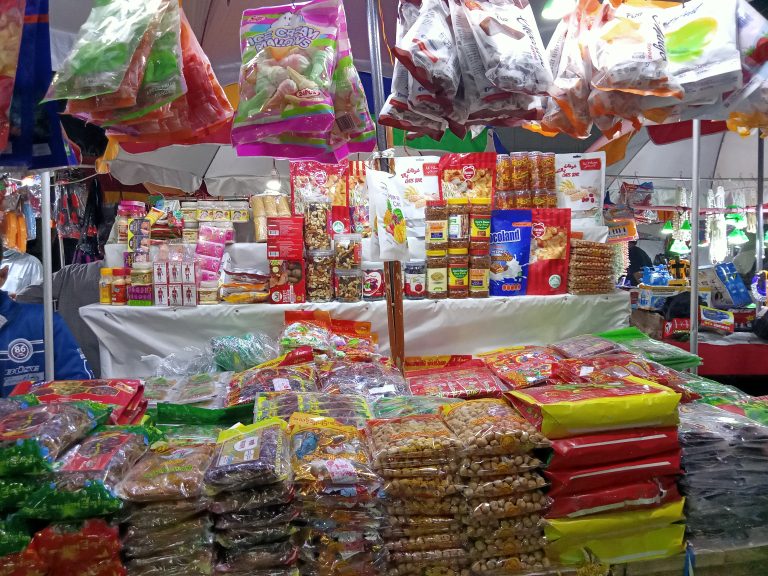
point(725, 488)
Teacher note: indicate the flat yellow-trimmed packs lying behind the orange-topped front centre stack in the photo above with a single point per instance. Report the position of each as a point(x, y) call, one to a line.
point(348, 409)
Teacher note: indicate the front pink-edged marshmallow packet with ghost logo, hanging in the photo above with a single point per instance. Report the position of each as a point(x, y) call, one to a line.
point(288, 60)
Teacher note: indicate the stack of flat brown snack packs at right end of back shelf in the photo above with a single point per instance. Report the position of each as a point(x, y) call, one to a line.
point(591, 269)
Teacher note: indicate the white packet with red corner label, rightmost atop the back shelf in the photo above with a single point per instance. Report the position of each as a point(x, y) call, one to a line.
point(580, 182)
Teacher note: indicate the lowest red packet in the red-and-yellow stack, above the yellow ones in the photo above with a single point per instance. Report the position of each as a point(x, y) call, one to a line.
point(633, 496)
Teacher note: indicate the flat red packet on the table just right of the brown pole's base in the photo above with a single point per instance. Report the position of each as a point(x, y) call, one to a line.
point(470, 380)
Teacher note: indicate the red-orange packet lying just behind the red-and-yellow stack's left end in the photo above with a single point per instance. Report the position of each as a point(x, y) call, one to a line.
point(522, 366)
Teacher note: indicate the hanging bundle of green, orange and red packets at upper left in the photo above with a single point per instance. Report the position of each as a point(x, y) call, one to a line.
point(138, 70)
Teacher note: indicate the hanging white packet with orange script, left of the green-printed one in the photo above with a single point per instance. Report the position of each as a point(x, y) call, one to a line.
point(628, 51)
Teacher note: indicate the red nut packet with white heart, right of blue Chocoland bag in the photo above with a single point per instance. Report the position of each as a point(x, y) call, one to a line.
point(550, 251)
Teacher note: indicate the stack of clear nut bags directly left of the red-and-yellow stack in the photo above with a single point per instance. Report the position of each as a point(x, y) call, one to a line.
point(503, 500)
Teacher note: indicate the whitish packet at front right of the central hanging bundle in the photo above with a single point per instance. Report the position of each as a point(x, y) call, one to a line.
point(510, 45)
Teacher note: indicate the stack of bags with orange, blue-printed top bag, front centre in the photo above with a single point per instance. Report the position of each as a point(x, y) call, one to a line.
point(340, 498)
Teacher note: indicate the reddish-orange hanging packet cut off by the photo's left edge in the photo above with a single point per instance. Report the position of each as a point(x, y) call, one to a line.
point(11, 27)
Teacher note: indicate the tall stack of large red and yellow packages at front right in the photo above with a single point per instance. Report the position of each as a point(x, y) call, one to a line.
point(614, 464)
